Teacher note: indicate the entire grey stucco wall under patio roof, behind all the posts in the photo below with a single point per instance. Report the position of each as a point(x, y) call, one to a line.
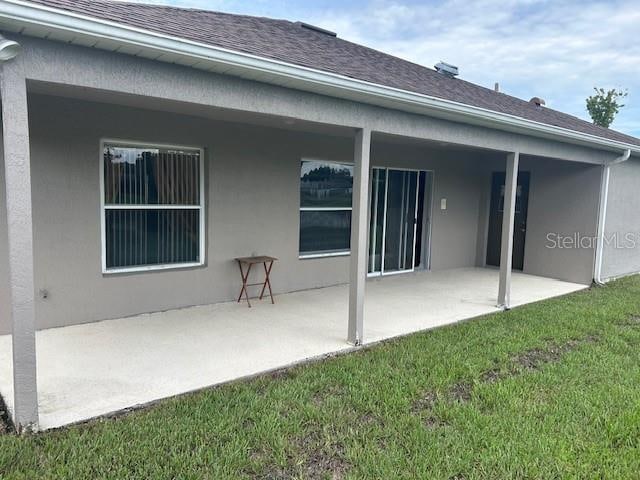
point(252, 178)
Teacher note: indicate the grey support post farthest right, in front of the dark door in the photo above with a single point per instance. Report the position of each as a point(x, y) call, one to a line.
point(508, 221)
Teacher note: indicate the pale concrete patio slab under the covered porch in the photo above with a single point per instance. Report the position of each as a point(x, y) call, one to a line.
point(90, 370)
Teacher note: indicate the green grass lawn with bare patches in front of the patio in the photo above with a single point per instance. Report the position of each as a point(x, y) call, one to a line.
point(550, 390)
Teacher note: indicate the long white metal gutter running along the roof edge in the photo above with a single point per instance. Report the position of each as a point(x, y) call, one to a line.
point(26, 13)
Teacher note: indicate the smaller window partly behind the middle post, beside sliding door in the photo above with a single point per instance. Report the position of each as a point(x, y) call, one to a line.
point(326, 189)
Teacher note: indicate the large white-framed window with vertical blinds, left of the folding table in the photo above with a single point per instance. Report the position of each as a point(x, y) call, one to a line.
point(153, 212)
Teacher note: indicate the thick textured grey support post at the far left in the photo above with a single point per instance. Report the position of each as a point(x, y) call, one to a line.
point(15, 122)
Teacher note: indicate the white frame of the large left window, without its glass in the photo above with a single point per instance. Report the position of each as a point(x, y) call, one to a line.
point(104, 208)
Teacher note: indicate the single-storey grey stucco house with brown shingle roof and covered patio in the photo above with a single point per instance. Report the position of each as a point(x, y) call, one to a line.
point(145, 147)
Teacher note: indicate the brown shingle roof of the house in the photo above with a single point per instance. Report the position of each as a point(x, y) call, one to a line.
point(289, 42)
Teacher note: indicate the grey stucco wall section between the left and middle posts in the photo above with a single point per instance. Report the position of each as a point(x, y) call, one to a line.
point(252, 207)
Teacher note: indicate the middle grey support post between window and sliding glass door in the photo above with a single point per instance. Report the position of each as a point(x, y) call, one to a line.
point(359, 236)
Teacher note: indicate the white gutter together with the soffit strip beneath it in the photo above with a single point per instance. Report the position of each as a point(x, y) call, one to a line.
point(35, 20)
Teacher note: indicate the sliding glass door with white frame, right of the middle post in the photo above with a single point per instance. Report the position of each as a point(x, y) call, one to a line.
point(394, 220)
